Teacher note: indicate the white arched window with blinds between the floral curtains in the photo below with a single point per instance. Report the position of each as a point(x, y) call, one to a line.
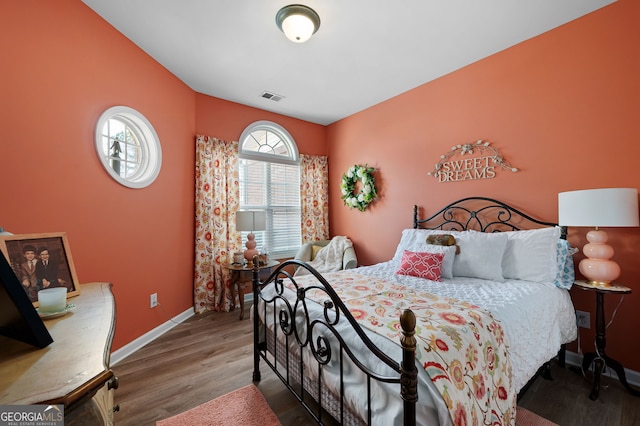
point(269, 178)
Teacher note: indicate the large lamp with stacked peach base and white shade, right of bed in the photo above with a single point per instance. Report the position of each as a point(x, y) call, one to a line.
point(607, 207)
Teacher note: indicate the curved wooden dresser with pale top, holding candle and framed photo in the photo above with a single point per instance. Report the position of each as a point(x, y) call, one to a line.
point(72, 370)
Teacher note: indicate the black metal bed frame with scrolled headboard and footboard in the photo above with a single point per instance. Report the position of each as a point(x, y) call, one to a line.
point(490, 216)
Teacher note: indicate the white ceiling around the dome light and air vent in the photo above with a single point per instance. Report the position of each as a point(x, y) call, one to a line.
point(366, 51)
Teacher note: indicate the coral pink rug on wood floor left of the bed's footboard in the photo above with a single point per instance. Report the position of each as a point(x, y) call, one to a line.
point(245, 406)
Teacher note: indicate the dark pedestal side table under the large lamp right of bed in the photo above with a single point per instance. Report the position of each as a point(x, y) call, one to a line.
point(599, 357)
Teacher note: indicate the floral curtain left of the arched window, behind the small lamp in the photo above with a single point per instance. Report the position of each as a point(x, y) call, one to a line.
point(217, 200)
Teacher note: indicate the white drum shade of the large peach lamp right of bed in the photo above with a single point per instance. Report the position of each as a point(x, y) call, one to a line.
point(607, 207)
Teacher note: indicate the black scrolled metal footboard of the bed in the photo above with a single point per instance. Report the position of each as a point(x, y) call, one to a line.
point(313, 336)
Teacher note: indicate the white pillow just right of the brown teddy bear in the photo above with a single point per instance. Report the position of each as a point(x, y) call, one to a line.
point(480, 255)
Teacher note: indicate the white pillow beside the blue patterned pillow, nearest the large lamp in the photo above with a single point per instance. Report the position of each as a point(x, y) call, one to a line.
point(532, 255)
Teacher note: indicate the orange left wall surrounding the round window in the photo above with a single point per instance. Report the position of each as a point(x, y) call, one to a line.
point(62, 67)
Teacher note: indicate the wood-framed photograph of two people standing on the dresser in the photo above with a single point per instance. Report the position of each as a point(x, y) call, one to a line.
point(41, 261)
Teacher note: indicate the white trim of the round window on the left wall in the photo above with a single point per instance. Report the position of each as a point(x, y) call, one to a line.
point(150, 149)
